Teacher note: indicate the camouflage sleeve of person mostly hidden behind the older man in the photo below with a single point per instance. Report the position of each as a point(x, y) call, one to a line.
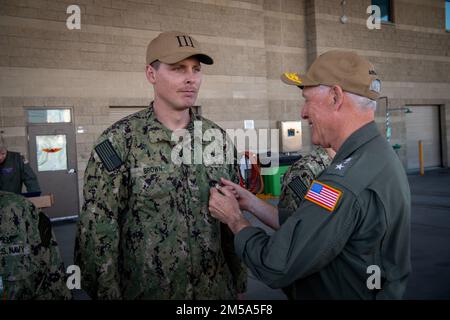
point(306, 169)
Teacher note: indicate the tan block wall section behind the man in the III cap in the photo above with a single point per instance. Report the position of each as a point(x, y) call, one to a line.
point(43, 64)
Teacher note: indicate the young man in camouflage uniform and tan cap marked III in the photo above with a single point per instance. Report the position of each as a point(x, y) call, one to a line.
point(145, 231)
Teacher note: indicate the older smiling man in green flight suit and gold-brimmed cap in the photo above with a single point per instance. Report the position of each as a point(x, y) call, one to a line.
point(350, 237)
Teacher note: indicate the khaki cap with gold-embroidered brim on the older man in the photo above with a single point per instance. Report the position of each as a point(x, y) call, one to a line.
point(346, 69)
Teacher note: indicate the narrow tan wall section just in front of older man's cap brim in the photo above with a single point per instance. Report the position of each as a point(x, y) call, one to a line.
point(285, 24)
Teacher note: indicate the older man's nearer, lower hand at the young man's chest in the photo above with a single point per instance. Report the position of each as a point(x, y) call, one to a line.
point(224, 206)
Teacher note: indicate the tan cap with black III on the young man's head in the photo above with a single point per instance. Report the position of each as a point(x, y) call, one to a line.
point(173, 46)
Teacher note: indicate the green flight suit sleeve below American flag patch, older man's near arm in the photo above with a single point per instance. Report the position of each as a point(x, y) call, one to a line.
point(308, 240)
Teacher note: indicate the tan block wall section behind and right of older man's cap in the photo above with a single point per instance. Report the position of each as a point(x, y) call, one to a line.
point(411, 55)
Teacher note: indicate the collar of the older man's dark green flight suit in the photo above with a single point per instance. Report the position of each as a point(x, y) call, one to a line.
point(356, 140)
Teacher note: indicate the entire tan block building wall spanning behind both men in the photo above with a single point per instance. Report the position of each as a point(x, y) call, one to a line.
point(43, 64)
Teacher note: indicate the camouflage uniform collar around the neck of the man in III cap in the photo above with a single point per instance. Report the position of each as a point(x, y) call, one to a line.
point(158, 132)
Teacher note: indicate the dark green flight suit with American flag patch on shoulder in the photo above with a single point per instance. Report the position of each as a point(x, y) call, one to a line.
point(330, 254)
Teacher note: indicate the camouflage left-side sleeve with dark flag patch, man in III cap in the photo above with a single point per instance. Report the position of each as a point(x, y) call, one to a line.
point(97, 251)
